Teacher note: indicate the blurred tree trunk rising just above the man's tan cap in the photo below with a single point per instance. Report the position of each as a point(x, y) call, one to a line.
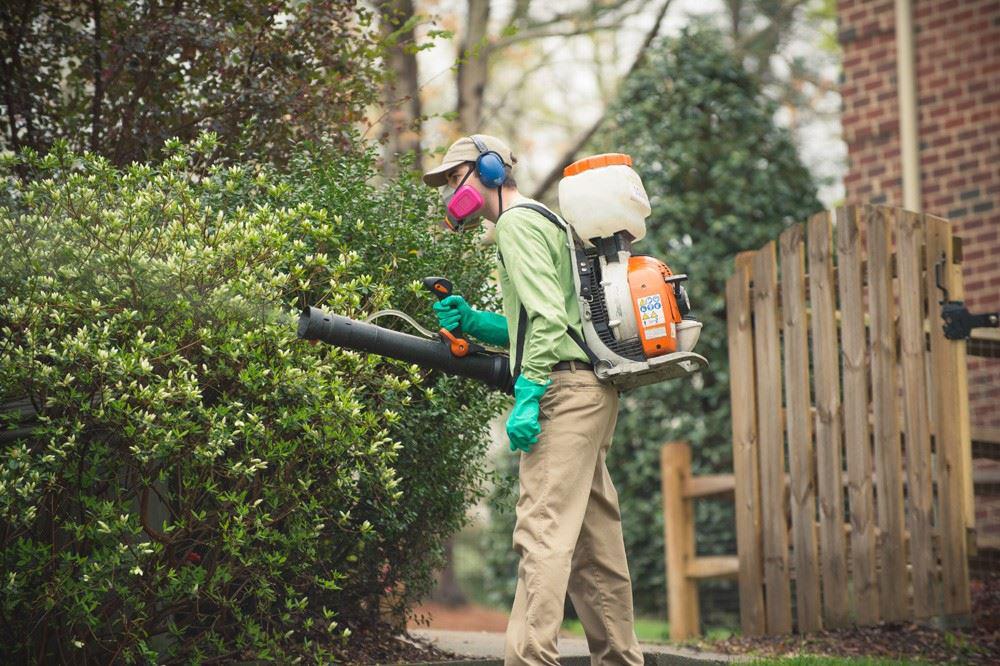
point(473, 66)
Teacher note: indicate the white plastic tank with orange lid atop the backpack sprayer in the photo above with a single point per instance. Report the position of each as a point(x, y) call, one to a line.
point(600, 195)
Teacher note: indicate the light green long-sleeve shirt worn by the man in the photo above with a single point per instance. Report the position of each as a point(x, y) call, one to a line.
point(536, 272)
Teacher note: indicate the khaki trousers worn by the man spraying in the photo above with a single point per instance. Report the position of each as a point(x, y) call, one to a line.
point(568, 532)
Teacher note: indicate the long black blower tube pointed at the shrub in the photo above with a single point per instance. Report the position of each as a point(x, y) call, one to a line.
point(492, 369)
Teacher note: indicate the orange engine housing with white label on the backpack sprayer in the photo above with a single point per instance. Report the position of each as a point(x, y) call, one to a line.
point(654, 304)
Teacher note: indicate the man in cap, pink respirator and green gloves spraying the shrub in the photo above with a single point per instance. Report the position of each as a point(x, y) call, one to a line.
point(568, 530)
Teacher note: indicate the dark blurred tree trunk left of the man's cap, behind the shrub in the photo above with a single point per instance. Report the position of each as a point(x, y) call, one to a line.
point(401, 94)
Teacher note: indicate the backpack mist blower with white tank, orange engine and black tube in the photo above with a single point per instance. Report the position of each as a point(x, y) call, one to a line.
point(635, 313)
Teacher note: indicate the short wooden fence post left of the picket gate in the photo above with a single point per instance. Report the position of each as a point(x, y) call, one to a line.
point(678, 535)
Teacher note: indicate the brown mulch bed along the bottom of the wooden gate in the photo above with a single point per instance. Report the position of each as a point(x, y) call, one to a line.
point(977, 644)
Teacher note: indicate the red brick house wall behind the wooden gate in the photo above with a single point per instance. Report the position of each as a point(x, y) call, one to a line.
point(957, 45)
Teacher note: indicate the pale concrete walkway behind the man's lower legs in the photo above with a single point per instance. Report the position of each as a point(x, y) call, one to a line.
point(486, 649)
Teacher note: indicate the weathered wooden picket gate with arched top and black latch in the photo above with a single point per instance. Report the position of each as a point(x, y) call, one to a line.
point(841, 363)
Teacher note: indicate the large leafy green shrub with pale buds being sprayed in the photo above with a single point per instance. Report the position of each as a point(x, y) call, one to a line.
point(197, 485)
